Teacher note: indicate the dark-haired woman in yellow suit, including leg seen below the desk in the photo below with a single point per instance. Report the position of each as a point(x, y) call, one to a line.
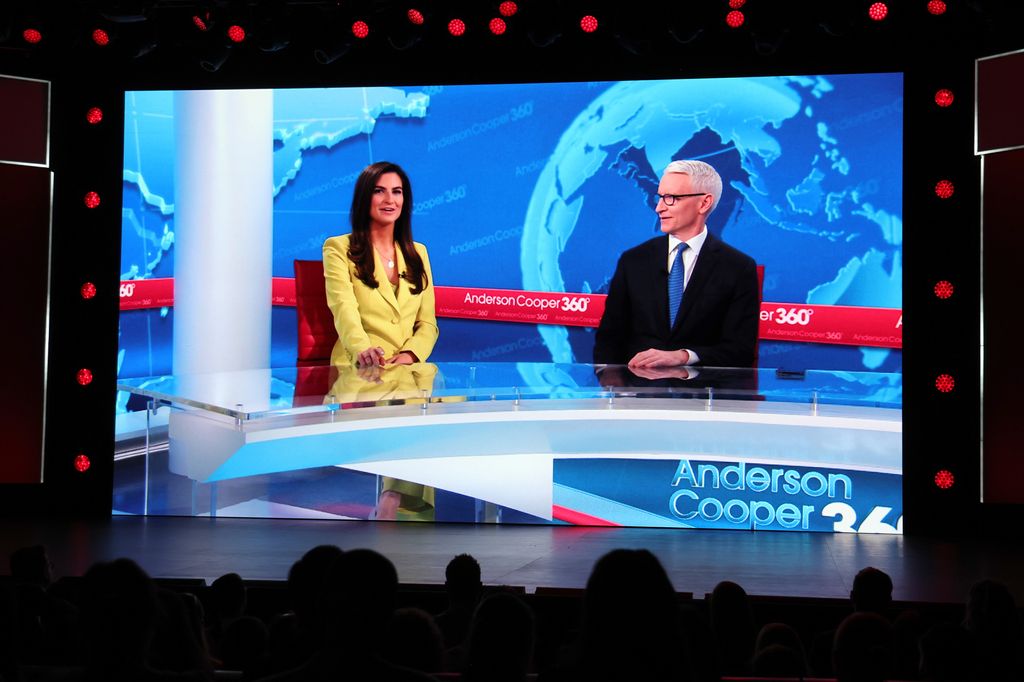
point(380, 290)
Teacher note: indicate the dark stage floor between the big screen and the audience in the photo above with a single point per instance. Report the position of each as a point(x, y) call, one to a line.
point(804, 565)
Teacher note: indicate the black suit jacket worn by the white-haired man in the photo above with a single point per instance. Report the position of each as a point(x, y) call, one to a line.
point(718, 319)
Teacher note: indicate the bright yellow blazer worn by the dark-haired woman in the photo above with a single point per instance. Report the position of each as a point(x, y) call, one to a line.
point(365, 318)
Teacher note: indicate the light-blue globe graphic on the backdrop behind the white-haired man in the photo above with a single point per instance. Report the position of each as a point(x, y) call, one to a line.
point(612, 157)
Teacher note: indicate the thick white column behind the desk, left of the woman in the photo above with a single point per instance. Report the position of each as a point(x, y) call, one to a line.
point(224, 226)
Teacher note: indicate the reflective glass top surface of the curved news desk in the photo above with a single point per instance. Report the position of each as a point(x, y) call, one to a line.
point(252, 395)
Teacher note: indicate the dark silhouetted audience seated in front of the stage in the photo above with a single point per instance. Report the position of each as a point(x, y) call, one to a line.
point(116, 624)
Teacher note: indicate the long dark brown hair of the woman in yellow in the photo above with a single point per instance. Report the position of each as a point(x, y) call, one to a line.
point(361, 251)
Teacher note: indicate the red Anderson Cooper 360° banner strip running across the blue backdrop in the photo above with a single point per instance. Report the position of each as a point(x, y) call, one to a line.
point(843, 325)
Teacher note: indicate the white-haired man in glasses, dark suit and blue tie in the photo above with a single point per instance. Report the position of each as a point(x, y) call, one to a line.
point(686, 299)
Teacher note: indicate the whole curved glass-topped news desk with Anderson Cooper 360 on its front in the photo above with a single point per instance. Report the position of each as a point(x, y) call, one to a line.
point(521, 443)
